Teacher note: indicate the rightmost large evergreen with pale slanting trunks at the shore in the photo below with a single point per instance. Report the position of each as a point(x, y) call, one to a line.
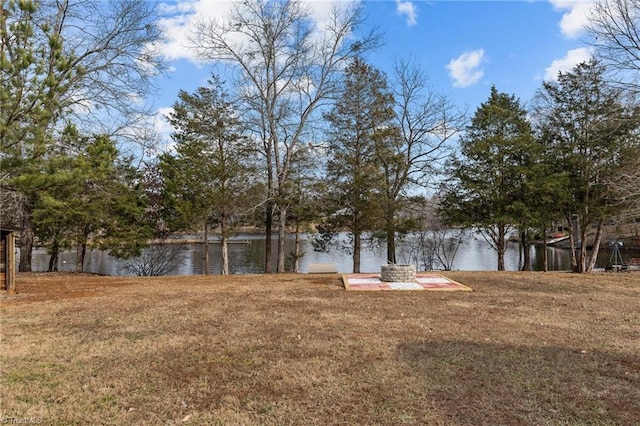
point(591, 136)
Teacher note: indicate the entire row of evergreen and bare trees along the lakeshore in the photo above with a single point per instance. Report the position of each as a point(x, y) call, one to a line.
point(306, 131)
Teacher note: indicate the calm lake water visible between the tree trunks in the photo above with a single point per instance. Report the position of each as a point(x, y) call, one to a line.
point(247, 256)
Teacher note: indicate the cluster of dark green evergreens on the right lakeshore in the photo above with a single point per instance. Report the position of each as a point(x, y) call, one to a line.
point(522, 170)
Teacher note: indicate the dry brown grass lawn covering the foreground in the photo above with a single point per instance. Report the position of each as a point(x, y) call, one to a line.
point(523, 348)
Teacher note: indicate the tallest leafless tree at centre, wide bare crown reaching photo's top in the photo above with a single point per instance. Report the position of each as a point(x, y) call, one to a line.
point(285, 69)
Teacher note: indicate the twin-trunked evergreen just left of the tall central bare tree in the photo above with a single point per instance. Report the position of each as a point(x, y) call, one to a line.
point(208, 179)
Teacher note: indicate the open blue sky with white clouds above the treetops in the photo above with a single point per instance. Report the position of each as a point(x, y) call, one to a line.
point(464, 46)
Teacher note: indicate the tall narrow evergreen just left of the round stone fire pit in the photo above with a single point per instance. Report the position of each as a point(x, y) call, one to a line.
point(361, 129)
